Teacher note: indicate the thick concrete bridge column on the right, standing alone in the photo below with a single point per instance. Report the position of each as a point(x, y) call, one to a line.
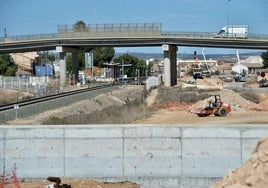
point(170, 64)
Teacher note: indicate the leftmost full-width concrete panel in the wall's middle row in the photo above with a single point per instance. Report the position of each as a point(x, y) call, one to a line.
point(34, 148)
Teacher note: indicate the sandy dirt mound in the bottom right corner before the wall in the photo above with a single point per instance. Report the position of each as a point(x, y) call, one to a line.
point(253, 173)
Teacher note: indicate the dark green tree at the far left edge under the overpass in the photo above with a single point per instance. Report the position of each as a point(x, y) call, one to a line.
point(7, 65)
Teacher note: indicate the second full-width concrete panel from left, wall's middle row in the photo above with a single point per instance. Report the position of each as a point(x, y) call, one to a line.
point(86, 148)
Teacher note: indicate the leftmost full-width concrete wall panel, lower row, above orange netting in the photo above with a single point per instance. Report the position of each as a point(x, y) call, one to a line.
point(37, 168)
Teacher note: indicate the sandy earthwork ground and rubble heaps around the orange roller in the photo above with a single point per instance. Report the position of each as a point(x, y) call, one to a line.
point(243, 111)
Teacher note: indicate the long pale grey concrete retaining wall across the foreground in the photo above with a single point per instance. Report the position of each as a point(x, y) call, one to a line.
point(151, 155)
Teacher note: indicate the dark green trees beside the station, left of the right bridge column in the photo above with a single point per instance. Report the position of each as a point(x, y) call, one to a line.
point(136, 64)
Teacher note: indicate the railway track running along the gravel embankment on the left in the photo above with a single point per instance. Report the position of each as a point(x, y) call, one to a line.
point(50, 97)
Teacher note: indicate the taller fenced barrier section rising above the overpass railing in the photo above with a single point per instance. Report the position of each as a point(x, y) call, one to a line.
point(110, 30)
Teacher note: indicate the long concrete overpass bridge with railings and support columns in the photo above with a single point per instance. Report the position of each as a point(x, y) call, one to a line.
point(72, 38)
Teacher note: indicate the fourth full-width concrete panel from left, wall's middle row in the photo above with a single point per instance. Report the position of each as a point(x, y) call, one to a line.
point(211, 147)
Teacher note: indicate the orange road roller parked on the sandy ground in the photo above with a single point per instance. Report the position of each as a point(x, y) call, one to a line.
point(216, 107)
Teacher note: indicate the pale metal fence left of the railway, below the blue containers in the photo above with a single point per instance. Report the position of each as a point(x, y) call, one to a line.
point(35, 85)
